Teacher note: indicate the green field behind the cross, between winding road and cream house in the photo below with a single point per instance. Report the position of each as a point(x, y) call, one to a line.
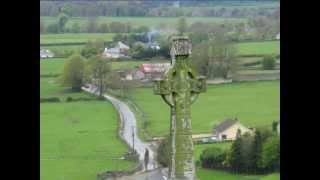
point(254, 103)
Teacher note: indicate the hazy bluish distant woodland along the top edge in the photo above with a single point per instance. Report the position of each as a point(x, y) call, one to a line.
point(151, 8)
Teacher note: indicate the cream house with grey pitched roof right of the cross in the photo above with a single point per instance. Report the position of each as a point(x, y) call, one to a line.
point(227, 130)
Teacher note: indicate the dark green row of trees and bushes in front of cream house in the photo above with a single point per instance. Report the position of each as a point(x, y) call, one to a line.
point(253, 154)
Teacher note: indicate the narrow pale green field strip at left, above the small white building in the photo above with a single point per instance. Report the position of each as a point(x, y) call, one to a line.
point(74, 37)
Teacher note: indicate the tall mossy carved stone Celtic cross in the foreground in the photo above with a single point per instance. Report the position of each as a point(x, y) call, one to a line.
point(179, 88)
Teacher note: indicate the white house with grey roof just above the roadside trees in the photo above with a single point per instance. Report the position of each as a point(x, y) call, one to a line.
point(120, 50)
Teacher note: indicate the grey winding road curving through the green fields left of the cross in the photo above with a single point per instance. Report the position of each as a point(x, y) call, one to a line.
point(128, 125)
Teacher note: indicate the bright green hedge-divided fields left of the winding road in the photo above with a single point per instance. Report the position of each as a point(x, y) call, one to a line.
point(77, 139)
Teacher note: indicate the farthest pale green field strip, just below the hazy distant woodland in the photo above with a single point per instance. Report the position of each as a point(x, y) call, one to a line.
point(145, 21)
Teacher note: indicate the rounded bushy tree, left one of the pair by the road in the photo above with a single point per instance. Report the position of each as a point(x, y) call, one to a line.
point(73, 72)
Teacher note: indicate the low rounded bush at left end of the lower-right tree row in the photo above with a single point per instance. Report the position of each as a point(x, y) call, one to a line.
point(212, 157)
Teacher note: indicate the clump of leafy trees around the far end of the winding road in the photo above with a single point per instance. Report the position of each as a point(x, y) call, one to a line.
point(91, 67)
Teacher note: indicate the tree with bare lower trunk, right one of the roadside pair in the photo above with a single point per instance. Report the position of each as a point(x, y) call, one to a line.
point(98, 70)
